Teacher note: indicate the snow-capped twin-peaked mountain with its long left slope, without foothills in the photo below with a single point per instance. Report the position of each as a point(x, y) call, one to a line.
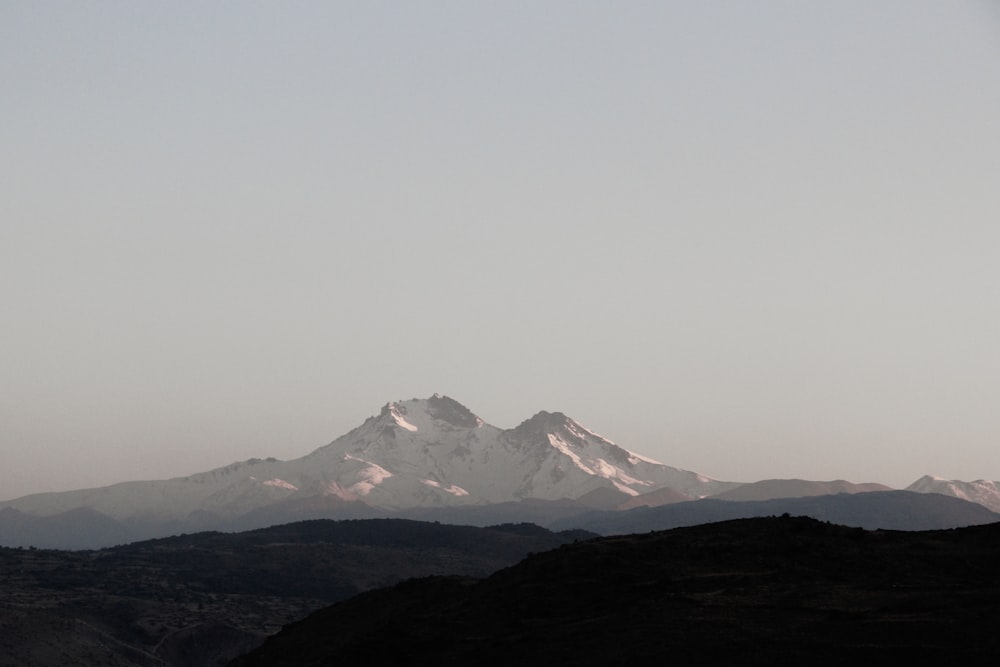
point(416, 453)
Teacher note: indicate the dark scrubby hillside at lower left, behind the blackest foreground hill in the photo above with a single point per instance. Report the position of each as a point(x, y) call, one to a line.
point(202, 599)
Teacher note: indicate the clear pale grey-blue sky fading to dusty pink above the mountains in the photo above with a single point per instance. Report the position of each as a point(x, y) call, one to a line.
point(754, 240)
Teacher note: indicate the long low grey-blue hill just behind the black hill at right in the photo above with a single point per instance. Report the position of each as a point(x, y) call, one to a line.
point(892, 510)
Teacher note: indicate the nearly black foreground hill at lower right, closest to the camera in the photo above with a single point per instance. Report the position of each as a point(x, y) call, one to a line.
point(752, 592)
